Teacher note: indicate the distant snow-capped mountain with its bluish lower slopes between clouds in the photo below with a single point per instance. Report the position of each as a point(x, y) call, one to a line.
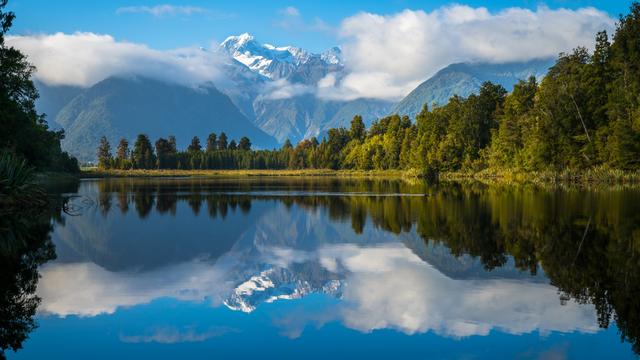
point(255, 70)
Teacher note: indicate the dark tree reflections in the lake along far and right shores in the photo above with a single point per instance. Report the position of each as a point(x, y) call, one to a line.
point(587, 242)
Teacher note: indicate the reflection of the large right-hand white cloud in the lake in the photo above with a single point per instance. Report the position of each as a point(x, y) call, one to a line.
point(391, 287)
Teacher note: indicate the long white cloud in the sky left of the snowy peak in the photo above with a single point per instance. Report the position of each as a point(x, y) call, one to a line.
point(86, 58)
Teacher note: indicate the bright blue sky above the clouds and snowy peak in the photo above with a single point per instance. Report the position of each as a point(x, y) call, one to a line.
point(313, 27)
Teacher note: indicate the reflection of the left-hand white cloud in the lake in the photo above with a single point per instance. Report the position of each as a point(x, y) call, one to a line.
point(96, 290)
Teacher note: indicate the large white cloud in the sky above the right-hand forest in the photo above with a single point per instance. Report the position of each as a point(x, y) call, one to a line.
point(387, 56)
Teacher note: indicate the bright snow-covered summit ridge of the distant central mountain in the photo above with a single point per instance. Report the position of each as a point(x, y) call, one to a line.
point(276, 62)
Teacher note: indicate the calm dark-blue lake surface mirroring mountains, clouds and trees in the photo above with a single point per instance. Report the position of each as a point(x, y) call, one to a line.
point(326, 268)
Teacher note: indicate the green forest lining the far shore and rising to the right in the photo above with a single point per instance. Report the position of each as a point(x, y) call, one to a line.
point(584, 114)
